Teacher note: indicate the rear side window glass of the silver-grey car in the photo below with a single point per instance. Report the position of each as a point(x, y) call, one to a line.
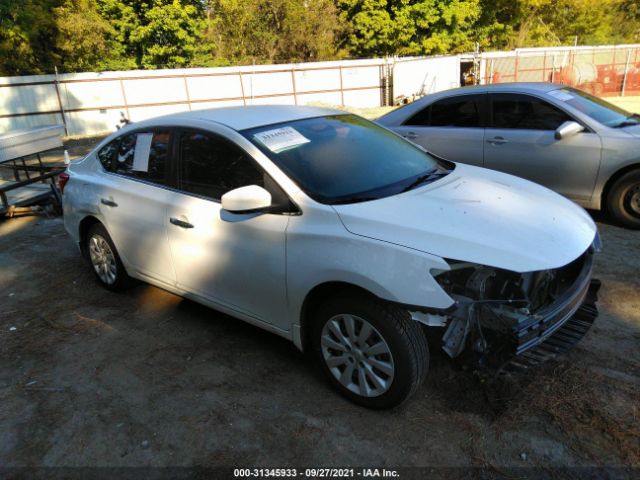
point(460, 111)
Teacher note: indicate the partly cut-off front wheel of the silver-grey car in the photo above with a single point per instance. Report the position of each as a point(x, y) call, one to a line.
point(623, 200)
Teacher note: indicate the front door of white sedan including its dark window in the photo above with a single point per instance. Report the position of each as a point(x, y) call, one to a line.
point(234, 260)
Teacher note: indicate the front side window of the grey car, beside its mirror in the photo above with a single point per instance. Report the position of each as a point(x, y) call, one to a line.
point(525, 112)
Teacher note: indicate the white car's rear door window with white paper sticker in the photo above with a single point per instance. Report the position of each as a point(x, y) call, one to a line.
point(144, 155)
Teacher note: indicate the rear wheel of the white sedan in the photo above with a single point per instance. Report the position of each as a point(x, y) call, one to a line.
point(105, 260)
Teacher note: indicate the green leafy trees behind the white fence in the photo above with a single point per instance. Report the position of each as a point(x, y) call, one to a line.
point(77, 35)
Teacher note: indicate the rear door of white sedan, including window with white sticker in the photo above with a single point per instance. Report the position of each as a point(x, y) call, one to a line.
point(134, 197)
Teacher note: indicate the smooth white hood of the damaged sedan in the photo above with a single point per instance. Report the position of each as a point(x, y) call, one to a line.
point(481, 216)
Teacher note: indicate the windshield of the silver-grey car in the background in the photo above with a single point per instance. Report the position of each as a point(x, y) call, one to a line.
point(597, 108)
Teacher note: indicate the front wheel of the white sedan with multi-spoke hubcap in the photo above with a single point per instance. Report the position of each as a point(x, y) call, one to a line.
point(371, 351)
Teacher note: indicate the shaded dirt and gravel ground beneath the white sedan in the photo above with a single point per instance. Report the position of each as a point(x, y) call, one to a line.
point(145, 378)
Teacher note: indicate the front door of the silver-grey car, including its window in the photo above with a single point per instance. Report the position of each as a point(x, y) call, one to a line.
point(520, 140)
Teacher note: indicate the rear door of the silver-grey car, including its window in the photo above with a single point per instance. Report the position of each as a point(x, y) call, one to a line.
point(452, 128)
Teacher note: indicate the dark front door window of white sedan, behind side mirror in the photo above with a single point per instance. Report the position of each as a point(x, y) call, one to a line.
point(210, 166)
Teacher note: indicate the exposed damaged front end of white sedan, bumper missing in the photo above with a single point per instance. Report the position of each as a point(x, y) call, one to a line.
point(504, 319)
